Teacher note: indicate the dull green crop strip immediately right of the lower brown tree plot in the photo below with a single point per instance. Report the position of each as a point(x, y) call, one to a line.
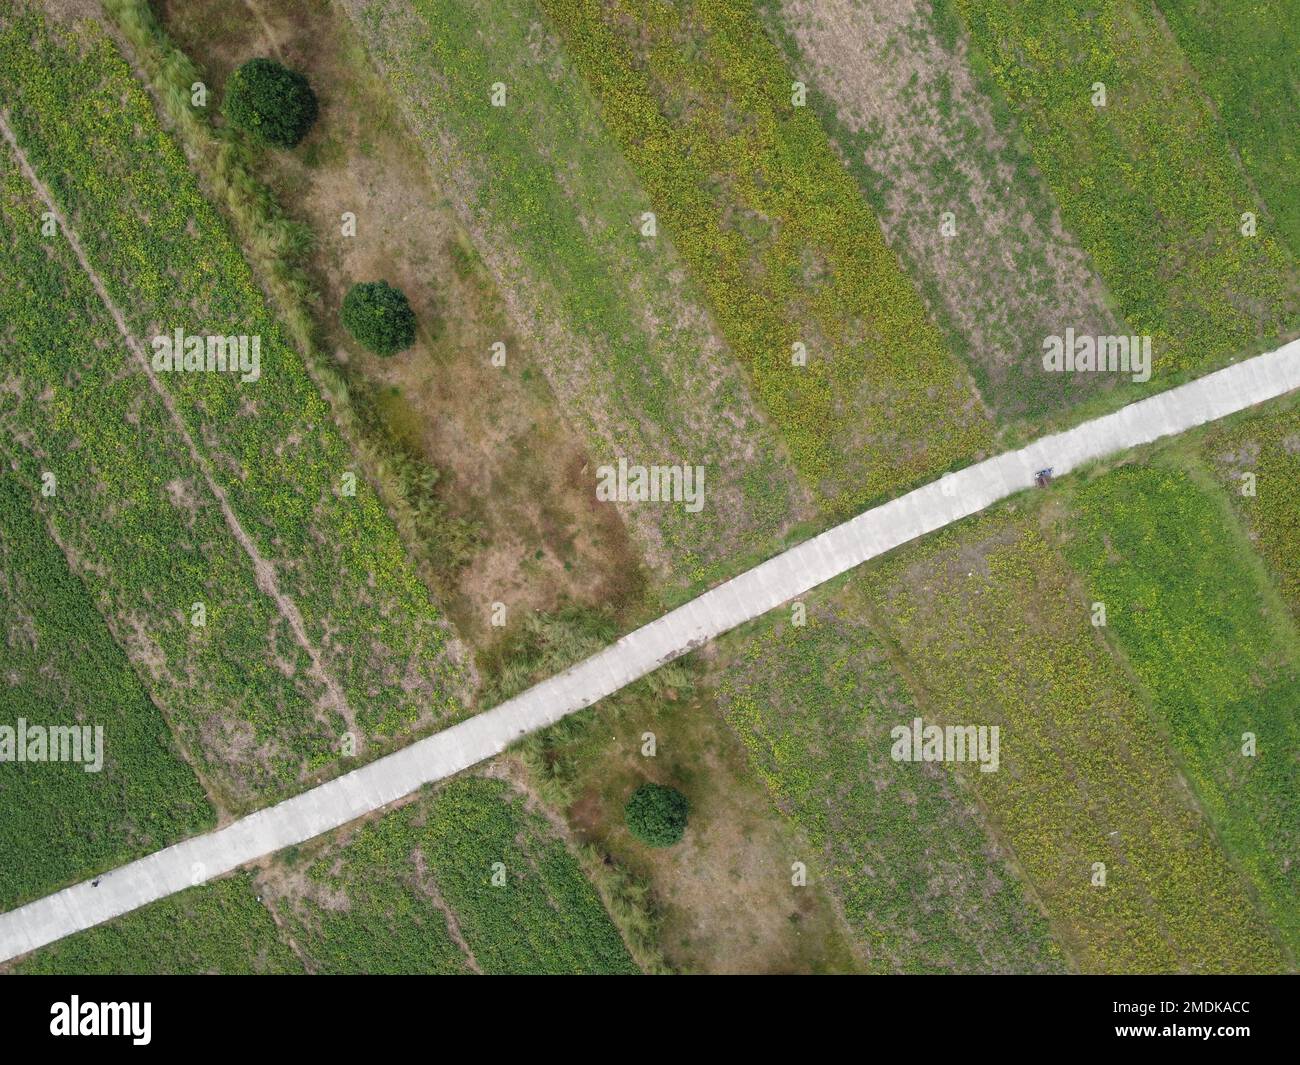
point(924, 884)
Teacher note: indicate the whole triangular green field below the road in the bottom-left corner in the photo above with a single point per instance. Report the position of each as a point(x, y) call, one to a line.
point(410, 893)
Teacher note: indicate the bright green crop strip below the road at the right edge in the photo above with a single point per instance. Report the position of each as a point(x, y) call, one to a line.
point(1216, 650)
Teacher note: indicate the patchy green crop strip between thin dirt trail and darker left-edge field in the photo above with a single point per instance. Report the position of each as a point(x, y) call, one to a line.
point(142, 536)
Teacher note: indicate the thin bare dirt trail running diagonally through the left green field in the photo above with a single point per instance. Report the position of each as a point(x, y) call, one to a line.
point(265, 572)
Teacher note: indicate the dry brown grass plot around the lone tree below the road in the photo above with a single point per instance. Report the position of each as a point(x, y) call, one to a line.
point(722, 899)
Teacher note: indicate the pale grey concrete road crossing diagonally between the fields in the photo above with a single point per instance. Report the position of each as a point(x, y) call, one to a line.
point(787, 577)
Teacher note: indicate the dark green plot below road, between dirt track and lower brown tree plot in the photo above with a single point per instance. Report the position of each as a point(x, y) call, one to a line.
point(375, 903)
